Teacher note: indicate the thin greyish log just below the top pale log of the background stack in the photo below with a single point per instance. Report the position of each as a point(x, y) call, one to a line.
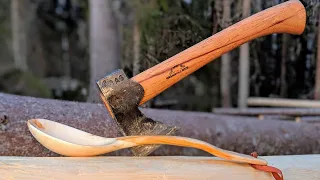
point(268, 111)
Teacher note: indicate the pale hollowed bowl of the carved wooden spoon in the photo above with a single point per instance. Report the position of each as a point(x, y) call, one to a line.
point(69, 141)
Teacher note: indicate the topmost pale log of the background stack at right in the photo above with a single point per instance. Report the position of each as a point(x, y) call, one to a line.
point(282, 102)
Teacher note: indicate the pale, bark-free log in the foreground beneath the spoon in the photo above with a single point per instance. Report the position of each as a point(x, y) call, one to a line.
point(293, 168)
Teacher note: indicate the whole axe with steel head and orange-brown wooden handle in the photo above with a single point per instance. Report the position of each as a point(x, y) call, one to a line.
point(122, 96)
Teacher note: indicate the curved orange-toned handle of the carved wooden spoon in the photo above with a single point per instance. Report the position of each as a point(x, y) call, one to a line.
point(193, 143)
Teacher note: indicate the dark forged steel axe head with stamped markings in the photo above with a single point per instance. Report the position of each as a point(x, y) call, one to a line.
point(121, 97)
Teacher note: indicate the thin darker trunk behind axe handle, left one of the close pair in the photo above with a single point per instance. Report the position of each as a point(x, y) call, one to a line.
point(225, 75)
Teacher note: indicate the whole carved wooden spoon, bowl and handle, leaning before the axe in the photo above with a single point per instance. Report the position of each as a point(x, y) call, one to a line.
point(68, 141)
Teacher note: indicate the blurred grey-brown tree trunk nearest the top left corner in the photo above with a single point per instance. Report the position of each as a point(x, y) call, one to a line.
point(19, 39)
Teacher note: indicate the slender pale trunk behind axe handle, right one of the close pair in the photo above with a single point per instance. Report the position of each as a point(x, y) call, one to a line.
point(244, 62)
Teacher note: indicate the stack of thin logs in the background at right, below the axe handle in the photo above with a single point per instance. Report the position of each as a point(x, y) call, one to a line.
point(277, 108)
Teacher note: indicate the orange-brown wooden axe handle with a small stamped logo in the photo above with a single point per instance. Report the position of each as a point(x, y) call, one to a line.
point(288, 17)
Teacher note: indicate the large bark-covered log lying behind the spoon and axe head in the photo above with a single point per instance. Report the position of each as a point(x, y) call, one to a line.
point(243, 135)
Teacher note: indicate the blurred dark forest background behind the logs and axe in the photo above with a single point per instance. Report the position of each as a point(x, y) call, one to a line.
point(59, 48)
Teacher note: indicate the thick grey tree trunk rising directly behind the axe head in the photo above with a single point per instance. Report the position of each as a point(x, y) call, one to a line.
point(104, 44)
